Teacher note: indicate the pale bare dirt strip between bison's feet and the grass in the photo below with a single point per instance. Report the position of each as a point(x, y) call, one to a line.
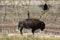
point(36, 34)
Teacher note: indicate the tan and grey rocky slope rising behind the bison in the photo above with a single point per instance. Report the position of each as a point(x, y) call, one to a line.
point(13, 11)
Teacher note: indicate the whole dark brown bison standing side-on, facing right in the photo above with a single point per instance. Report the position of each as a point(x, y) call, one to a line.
point(31, 24)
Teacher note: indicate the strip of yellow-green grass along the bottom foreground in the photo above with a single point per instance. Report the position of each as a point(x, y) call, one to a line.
point(27, 37)
